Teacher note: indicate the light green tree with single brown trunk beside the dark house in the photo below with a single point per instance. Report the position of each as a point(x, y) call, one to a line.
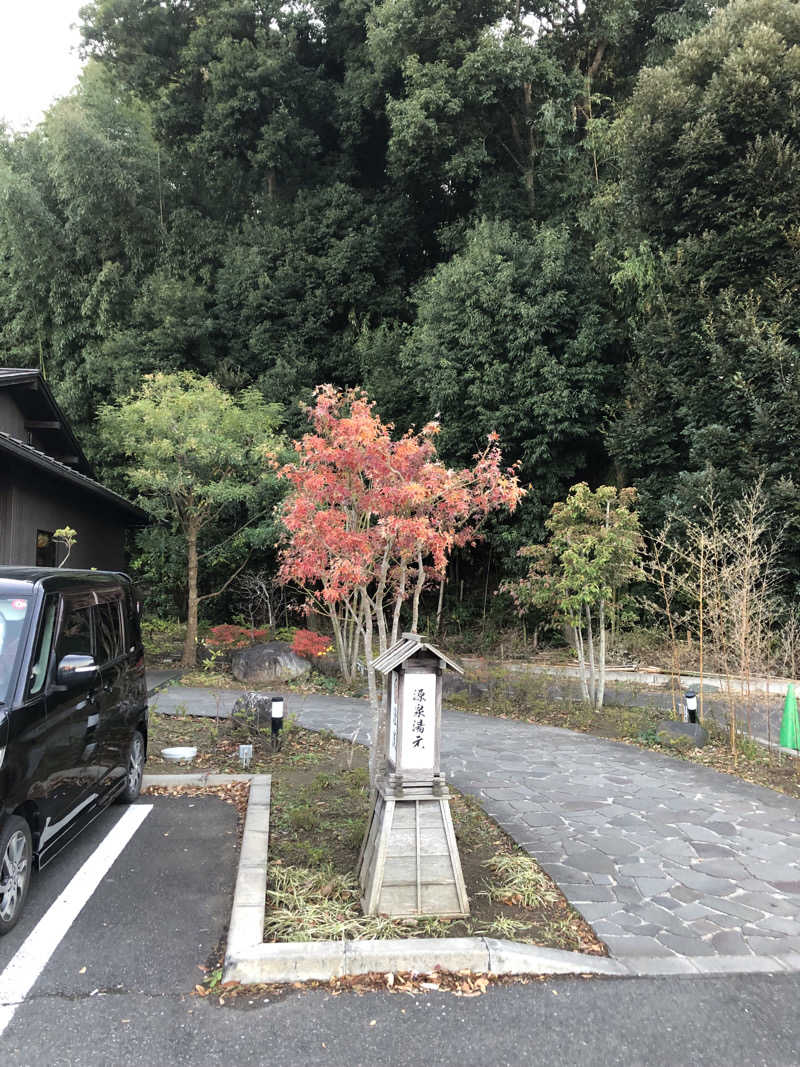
point(196, 455)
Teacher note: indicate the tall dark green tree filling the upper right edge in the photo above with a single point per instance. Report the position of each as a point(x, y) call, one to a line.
point(710, 266)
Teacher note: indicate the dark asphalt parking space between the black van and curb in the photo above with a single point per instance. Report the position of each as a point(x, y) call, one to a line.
point(157, 916)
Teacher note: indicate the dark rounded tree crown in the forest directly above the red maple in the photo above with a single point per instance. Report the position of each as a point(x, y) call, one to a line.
point(296, 285)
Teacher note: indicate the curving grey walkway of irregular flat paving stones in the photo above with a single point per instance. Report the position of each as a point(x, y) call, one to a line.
point(665, 858)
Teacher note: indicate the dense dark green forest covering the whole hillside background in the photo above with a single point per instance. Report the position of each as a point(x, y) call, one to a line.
point(572, 224)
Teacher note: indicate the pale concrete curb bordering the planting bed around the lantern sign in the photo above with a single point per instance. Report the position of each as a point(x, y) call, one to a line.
point(251, 961)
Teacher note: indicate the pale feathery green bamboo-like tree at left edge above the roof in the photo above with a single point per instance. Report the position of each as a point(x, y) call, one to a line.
point(81, 229)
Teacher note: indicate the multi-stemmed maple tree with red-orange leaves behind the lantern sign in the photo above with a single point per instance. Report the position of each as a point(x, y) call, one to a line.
point(371, 520)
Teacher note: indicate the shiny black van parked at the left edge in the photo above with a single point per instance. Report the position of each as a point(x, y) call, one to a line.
point(73, 713)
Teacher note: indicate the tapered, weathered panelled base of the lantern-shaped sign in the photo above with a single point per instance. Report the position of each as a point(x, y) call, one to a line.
point(410, 863)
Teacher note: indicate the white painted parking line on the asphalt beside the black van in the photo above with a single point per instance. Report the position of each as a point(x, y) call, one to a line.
point(44, 939)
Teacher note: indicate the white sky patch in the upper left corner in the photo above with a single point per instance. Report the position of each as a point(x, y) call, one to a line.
point(39, 61)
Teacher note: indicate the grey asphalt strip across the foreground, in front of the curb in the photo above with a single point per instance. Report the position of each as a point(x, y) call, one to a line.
point(737, 1022)
